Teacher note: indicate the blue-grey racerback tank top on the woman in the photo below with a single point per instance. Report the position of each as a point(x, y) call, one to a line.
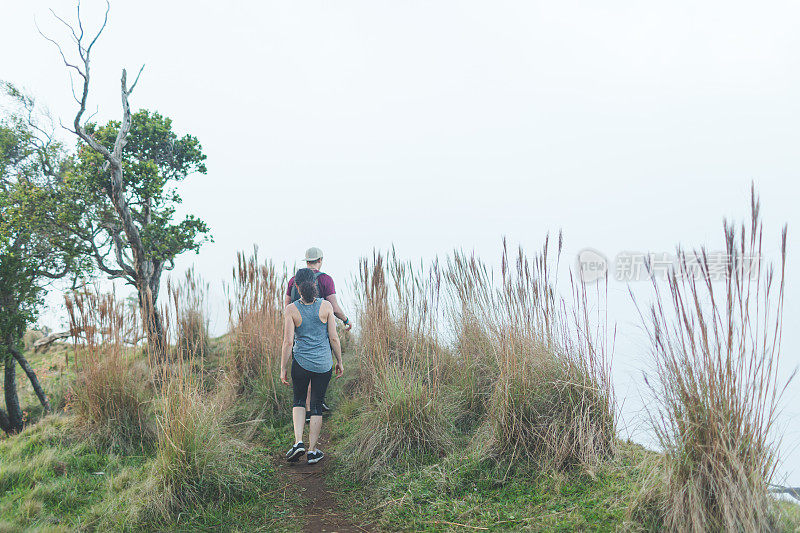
point(312, 347)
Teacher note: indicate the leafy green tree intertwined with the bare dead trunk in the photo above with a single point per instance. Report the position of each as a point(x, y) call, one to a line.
point(133, 233)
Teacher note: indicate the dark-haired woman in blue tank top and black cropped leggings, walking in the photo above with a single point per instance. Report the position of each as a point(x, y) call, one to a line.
point(309, 327)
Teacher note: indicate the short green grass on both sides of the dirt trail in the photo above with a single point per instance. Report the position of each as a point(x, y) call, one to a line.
point(55, 477)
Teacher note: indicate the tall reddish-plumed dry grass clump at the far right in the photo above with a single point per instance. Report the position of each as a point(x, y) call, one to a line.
point(716, 346)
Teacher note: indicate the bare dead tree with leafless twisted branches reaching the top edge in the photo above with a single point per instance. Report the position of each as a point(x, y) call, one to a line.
point(142, 271)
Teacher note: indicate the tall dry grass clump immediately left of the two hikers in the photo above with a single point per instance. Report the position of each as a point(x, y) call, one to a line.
point(255, 310)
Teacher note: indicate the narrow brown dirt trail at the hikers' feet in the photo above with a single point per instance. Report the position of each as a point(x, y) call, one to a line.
point(322, 514)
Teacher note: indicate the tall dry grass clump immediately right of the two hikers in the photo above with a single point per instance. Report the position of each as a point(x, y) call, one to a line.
point(400, 365)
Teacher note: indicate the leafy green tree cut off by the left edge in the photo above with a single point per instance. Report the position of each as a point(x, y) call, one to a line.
point(36, 246)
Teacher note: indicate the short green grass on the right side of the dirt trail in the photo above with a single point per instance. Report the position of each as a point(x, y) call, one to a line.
point(464, 491)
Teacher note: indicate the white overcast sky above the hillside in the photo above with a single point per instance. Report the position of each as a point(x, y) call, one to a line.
point(433, 125)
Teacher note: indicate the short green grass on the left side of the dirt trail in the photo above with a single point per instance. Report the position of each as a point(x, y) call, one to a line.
point(52, 479)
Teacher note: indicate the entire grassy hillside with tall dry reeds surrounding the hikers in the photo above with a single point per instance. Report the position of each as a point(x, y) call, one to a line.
point(471, 402)
